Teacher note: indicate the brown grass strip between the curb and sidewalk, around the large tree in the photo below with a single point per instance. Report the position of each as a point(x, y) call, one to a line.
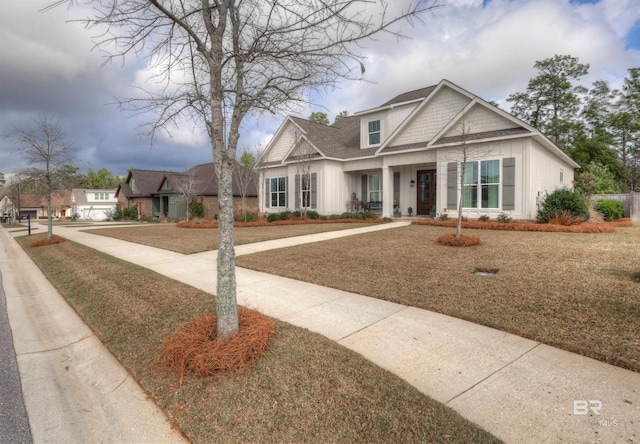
point(306, 389)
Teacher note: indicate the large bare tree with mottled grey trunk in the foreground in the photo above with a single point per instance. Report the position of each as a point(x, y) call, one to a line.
point(220, 60)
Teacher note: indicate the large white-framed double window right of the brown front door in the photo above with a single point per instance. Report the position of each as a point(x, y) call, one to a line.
point(481, 184)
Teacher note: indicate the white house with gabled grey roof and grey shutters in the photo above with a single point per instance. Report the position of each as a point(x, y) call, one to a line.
point(408, 153)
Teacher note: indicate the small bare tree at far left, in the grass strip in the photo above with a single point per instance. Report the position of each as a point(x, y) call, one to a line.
point(44, 148)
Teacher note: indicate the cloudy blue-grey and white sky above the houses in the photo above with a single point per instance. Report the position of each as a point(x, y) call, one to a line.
point(488, 47)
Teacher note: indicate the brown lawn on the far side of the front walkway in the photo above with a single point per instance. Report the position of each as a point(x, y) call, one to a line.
point(169, 237)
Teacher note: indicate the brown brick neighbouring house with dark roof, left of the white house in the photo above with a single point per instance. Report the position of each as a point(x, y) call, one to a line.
point(161, 193)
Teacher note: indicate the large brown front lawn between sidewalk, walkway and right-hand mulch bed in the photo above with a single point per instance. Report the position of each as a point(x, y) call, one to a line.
point(573, 291)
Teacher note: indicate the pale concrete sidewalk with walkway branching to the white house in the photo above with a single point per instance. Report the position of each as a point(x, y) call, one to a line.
point(520, 390)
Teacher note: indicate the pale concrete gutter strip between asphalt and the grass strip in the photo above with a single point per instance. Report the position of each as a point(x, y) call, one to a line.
point(74, 390)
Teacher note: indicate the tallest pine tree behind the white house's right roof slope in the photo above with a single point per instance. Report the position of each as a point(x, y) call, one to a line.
point(551, 100)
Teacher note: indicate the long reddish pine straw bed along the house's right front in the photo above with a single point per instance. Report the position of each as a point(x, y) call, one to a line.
point(585, 227)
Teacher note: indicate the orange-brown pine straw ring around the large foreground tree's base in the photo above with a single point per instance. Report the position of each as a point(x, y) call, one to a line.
point(194, 348)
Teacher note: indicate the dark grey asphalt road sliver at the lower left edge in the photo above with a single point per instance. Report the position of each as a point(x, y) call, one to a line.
point(14, 424)
